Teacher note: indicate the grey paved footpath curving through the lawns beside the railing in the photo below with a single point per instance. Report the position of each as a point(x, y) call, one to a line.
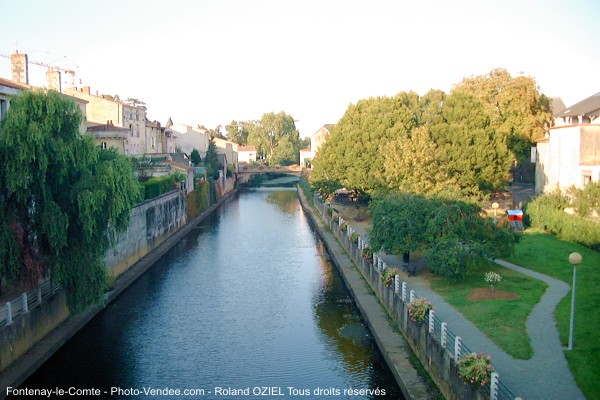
point(546, 375)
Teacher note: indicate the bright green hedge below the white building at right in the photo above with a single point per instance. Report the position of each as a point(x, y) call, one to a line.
point(547, 212)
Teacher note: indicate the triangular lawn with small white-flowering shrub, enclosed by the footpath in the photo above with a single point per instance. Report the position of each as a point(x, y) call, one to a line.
point(503, 321)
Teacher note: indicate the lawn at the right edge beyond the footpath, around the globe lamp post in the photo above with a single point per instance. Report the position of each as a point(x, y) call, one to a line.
point(546, 254)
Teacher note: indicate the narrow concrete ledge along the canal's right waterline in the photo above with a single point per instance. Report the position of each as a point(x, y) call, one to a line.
point(391, 343)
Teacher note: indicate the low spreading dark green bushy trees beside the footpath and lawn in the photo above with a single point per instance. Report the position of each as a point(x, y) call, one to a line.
point(453, 236)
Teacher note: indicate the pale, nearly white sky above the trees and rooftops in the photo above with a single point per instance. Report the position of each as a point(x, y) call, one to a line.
point(208, 62)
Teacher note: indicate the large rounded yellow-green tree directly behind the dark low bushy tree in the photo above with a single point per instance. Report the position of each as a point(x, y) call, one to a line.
point(455, 150)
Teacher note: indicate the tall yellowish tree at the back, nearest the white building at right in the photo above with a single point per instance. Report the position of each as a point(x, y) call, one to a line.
point(519, 112)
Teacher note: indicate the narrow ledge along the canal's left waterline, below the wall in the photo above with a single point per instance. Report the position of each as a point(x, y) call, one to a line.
point(21, 369)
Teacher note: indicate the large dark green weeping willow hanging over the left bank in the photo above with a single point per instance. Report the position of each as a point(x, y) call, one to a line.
point(59, 195)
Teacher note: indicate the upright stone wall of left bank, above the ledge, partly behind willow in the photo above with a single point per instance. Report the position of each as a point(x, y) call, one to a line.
point(151, 223)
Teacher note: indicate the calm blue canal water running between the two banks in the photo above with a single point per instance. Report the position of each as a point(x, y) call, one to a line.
point(247, 302)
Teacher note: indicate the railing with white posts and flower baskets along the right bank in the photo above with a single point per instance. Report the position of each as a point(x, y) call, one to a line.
point(372, 269)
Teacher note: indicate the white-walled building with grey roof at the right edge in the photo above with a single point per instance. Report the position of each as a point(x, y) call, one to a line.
point(569, 155)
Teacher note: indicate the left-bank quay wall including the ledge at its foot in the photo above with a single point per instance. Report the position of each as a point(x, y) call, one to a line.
point(32, 338)
